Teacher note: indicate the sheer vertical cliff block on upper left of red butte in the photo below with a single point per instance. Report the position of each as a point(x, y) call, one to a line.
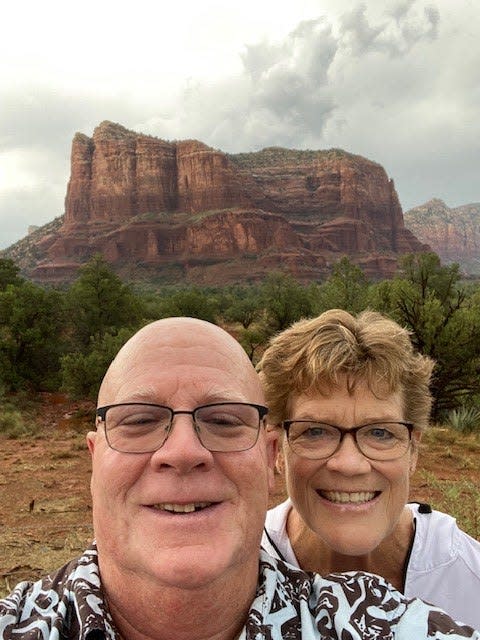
point(118, 174)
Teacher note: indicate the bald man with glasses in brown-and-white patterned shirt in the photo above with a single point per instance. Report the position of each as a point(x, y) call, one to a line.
point(182, 467)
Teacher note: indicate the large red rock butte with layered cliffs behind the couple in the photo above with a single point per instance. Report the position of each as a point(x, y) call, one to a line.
point(144, 201)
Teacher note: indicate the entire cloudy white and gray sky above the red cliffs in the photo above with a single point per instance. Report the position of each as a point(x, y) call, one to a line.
point(397, 81)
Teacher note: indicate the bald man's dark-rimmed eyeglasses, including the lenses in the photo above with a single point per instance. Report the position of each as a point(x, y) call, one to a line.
point(143, 428)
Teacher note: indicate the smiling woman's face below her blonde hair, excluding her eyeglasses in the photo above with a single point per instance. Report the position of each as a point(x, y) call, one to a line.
point(352, 503)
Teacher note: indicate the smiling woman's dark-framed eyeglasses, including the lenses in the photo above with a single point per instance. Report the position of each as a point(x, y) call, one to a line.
point(377, 441)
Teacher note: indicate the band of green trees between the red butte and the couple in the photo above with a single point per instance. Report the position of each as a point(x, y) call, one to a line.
point(65, 339)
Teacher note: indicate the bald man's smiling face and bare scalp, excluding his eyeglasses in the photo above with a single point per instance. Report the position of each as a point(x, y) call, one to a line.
point(141, 502)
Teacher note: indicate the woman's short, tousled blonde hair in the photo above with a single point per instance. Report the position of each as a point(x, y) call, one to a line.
point(313, 353)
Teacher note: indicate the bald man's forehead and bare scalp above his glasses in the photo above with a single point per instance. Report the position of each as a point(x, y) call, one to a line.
point(153, 363)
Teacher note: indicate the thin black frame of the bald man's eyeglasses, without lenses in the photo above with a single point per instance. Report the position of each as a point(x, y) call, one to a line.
point(101, 413)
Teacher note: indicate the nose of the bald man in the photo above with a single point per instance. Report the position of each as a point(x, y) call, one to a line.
point(182, 449)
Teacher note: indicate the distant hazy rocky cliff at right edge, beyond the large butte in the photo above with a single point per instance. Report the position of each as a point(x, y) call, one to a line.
point(453, 233)
